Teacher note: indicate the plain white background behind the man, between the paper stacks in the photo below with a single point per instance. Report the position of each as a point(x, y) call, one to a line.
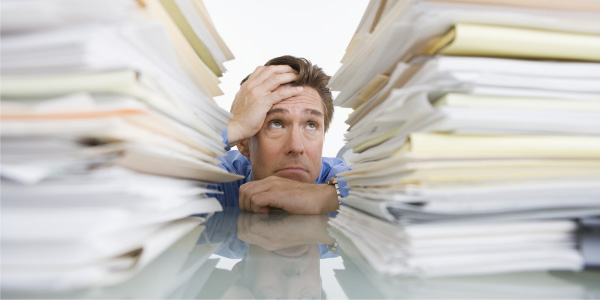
point(258, 30)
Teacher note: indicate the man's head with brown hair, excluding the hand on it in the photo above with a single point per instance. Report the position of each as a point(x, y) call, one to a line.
point(290, 142)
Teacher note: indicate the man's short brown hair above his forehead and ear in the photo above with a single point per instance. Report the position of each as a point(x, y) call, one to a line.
point(308, 75)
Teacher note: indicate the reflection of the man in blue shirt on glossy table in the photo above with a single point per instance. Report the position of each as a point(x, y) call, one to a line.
point(281, 257)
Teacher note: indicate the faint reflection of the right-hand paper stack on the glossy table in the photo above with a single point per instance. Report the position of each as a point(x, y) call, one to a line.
point(358, 272)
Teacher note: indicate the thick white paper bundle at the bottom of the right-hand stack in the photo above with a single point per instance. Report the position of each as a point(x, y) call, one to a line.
point(446, 248)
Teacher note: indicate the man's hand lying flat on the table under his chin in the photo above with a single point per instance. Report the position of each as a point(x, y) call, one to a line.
point(292, 196)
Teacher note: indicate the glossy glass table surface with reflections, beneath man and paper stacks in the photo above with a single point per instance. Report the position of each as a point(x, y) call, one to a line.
point(246, 255)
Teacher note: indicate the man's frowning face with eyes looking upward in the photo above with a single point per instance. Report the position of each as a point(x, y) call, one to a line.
point(290, 142)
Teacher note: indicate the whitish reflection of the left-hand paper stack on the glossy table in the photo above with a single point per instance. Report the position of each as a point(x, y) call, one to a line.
point(171, 265)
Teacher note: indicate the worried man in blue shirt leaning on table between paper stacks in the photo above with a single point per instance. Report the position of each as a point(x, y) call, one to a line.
point(280, 116)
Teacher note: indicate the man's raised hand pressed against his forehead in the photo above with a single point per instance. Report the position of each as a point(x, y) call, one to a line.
point(265, 87)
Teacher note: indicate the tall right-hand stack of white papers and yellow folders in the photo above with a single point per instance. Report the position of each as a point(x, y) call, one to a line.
point(472, 112)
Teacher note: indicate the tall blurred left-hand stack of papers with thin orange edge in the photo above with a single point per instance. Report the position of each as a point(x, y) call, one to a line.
point(109, 136)
